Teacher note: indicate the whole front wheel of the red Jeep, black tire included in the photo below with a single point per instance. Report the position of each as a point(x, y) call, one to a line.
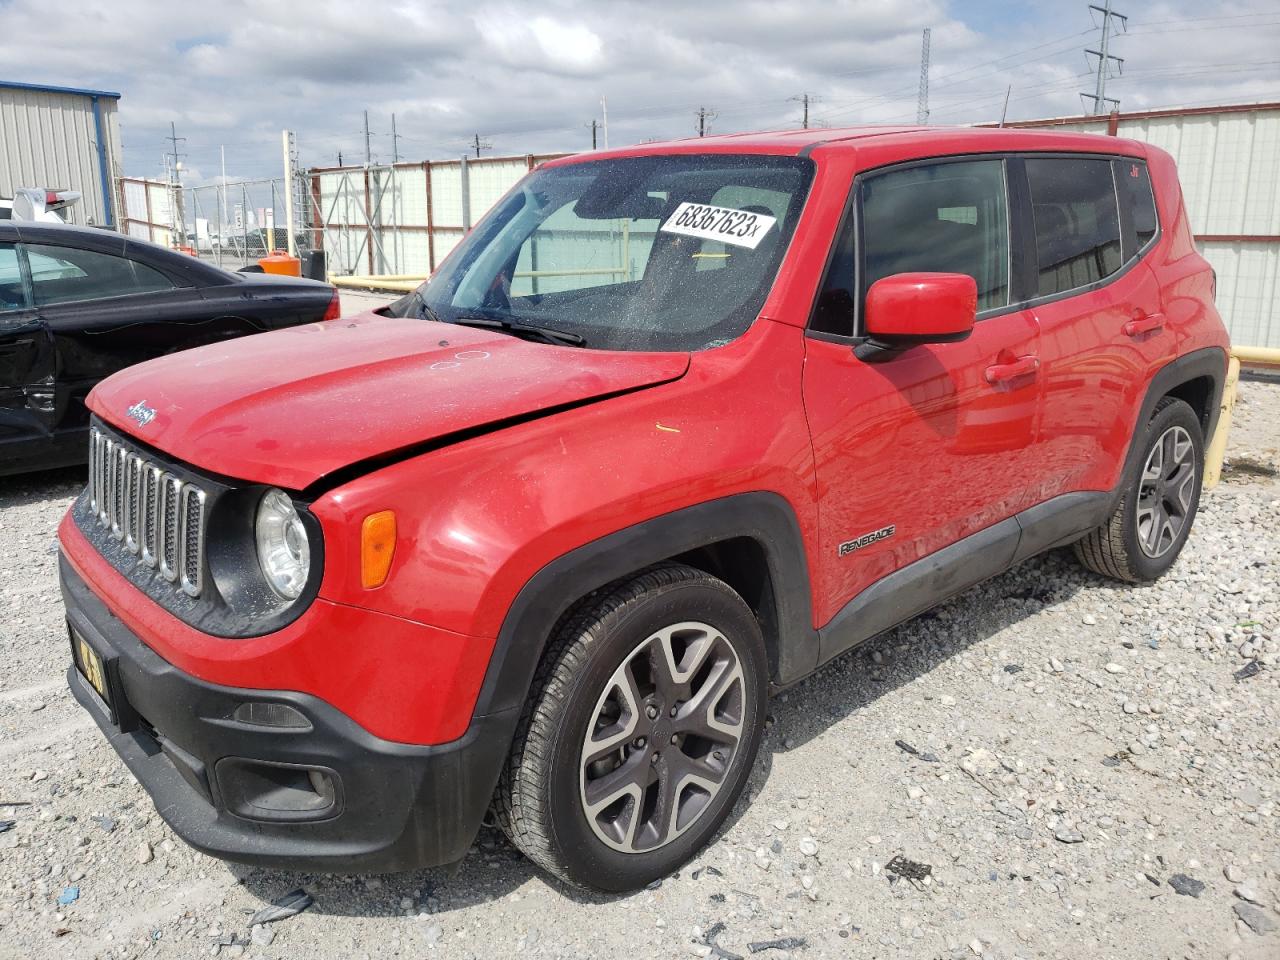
point(605, 656)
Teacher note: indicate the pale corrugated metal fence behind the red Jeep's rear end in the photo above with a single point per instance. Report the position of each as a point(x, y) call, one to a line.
point(1229, 163)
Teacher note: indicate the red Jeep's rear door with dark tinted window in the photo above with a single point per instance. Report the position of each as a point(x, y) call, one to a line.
point(1099, 305)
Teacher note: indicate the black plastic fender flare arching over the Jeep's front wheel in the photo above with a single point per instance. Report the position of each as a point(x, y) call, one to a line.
point(765, 518)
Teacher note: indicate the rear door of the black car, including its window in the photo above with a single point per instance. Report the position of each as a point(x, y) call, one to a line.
point(107, 312)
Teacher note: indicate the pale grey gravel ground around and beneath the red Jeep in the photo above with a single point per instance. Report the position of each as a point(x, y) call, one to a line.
point(1080, 765)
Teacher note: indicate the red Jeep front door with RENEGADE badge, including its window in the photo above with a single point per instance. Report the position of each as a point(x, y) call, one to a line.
point(926, 447)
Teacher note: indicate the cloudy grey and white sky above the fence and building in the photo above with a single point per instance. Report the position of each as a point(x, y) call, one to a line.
point(529, 77)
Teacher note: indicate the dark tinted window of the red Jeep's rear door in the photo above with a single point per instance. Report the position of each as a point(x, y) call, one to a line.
point(1077, 222)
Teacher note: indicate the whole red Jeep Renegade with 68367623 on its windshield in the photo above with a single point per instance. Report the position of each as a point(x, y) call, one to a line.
point(670, 429)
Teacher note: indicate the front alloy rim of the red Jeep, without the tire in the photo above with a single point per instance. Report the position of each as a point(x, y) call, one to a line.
point(662, 738)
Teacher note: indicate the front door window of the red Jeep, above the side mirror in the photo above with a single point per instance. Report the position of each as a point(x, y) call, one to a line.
point(943, 218)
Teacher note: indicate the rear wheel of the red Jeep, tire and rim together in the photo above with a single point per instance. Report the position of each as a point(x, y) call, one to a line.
point(1135, 545)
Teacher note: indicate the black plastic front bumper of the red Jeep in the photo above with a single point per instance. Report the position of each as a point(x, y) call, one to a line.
point(239, 790)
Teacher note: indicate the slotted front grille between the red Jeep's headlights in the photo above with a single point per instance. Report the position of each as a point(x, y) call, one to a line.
point(154, 515)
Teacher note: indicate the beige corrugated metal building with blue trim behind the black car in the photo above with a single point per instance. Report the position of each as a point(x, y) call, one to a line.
point(65, 139)
